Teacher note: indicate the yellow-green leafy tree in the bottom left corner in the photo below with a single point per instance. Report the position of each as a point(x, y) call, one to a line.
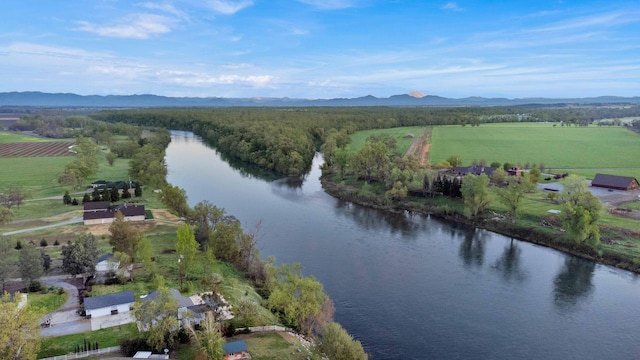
point(20, 331)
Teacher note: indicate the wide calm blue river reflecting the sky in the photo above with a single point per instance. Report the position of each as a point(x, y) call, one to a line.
point(415, 287)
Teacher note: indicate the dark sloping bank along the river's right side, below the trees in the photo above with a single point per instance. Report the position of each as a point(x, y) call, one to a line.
point(548, 235)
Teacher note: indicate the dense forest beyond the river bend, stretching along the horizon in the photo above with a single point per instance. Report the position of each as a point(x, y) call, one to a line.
point(284, 140)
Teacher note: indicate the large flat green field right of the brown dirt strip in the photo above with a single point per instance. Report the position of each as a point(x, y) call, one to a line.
point(554, 146)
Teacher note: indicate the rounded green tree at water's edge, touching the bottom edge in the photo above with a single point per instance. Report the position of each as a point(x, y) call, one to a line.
point(336, 343)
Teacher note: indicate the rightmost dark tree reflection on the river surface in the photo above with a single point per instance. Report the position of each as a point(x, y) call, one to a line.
point(573, 282)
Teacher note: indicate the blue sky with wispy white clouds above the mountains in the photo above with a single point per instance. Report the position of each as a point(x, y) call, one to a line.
point(321, 48)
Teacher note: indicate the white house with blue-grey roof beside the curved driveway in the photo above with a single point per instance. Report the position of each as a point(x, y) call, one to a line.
point(109, 310)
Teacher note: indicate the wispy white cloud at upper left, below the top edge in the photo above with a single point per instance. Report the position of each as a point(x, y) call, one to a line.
point(134, 26)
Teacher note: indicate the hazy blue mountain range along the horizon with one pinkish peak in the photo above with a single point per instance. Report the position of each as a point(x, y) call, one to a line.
point(413, 99)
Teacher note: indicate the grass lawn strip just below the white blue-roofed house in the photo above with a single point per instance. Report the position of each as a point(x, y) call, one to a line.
point(61, 345)
